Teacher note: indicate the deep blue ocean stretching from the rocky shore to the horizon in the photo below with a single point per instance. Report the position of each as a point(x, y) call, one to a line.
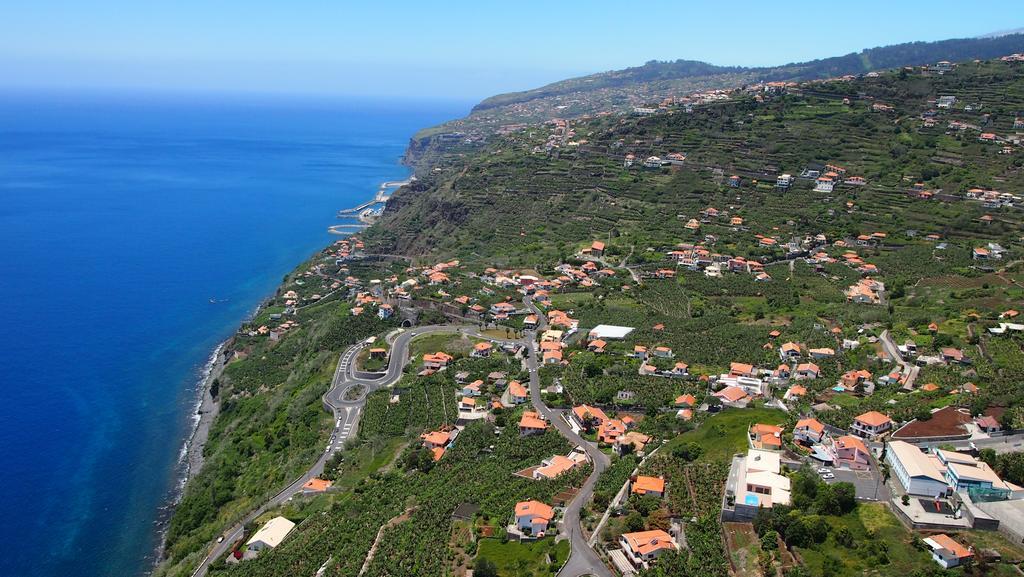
point(122, 217)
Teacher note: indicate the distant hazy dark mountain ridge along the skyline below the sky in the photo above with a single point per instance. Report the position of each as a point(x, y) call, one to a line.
point(912, 54)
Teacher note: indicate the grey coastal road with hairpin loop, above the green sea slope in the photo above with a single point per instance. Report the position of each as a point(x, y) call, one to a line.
point(347, 416)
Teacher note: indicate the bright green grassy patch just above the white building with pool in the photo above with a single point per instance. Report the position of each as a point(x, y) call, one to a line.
point(724, 435)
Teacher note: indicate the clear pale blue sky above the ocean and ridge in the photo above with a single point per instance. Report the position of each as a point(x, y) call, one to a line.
point(458, 50)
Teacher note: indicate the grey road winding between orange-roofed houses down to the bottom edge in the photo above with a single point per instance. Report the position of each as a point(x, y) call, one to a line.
point(583, 560)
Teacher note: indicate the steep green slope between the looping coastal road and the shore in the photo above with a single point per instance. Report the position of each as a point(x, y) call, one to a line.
point(272, 423)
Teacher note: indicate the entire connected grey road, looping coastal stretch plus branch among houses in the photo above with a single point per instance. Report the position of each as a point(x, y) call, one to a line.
point(583, 560)
